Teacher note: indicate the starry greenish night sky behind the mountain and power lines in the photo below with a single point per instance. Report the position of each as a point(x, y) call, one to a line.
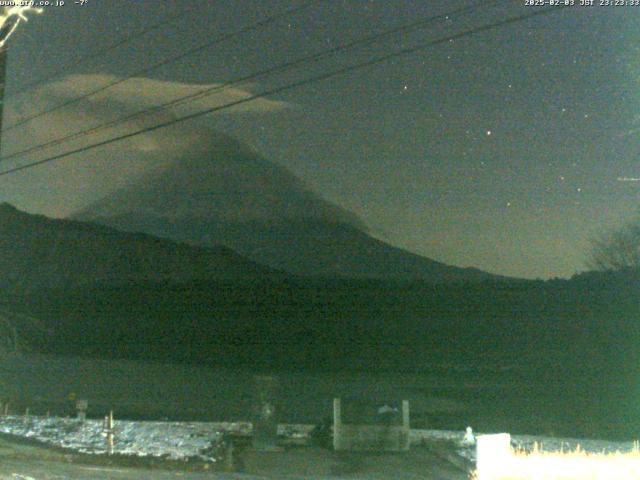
point(505, 150)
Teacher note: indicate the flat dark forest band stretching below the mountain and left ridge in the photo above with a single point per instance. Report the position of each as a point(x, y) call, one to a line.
point(303, 323)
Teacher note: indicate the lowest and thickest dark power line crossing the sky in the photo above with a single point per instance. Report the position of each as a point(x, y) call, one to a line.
point(300, 83)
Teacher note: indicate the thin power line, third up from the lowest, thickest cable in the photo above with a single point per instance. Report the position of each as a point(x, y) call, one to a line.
point(166, 61)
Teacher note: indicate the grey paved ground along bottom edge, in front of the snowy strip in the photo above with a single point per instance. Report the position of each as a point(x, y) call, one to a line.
point(21, 460)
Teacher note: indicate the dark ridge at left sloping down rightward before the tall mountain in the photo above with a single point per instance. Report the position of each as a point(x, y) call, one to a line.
point(36, 251)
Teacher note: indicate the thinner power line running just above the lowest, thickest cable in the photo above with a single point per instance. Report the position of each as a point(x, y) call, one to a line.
point(281, 67)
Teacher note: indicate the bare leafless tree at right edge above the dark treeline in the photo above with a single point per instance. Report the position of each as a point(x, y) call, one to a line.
point(617, 250)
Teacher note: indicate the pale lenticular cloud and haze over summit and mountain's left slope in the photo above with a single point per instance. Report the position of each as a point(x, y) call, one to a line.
point(75, 181)
